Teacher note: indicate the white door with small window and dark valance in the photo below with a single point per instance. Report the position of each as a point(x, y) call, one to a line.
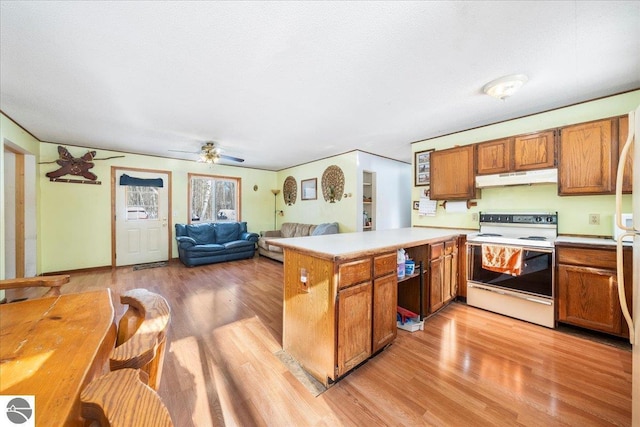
point(141, 220)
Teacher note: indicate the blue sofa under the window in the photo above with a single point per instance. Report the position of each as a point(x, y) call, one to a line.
point(207, 243)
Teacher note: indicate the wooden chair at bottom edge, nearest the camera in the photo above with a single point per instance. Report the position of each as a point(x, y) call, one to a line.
point(120, 398)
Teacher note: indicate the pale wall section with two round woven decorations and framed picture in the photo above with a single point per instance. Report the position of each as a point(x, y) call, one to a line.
point(317, 211)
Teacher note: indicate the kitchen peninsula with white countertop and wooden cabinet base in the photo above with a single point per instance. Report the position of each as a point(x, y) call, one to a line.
point(341, 294)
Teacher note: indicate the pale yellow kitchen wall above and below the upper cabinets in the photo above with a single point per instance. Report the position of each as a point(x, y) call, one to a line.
point(572, 211)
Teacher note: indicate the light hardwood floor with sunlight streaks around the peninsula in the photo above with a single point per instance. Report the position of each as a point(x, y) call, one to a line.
point(467, 368)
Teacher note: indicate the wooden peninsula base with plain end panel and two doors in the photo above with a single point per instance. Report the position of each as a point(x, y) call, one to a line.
point(342, 313)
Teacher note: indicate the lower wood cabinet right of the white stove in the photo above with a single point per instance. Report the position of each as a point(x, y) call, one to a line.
point(588, 289)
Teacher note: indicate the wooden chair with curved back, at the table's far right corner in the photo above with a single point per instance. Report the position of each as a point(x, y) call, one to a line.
point(142, 334)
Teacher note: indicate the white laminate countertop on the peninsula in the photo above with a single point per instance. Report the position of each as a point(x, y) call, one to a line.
point(344, 246)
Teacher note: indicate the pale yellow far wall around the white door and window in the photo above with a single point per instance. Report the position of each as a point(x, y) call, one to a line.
point(75, 218)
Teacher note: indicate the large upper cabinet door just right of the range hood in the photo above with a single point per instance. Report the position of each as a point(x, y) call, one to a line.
point(586, 159)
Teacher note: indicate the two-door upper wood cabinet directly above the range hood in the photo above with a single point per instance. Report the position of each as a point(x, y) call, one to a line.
point(519, 153)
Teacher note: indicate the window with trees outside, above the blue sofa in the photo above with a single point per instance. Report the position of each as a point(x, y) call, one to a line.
point(214, 198)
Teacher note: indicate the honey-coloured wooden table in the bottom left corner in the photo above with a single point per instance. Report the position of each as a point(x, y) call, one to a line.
point(52, 347)
